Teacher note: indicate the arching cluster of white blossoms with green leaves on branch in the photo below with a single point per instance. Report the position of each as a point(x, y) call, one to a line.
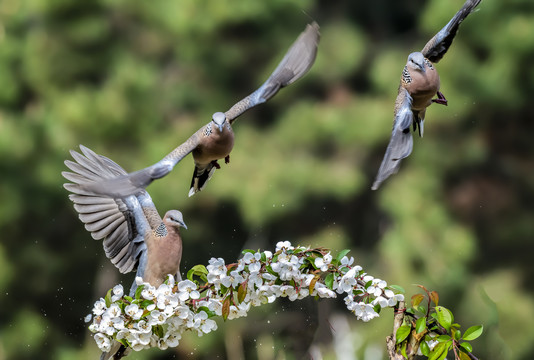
point(159, 316)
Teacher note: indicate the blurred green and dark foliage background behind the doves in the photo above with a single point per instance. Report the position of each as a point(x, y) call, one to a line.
point(133, 79)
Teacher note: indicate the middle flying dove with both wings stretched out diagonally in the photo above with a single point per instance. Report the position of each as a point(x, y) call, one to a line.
point(215, 140)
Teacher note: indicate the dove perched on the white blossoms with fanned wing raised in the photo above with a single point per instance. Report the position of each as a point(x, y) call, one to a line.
point(134, 235)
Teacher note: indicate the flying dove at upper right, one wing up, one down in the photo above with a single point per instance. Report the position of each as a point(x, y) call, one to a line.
point(418, 85)
